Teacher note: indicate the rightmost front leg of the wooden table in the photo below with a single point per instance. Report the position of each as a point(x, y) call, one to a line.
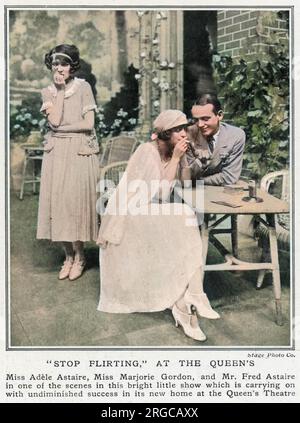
point(275, 272)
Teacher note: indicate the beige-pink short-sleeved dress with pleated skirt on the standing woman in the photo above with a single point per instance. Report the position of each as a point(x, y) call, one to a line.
point(70, 168)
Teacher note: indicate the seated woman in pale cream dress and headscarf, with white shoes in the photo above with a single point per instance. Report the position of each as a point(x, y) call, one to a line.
point(151, 255)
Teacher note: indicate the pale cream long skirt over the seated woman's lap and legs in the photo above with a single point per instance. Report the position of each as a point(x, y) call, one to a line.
point(152, 266)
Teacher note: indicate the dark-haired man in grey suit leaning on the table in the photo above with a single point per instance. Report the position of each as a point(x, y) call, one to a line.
point(216, 152)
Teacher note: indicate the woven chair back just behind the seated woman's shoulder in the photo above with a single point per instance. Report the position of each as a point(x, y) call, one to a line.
point(118, 149)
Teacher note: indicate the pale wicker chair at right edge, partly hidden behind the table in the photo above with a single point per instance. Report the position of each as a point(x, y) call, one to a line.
point(278, 184)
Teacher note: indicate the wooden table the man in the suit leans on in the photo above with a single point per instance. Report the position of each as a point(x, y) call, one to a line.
point(268, 208)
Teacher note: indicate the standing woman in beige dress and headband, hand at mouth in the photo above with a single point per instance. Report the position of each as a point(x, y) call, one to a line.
point(67, 203)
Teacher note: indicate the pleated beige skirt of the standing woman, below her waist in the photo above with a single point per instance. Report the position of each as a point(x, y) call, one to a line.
point(67, 203)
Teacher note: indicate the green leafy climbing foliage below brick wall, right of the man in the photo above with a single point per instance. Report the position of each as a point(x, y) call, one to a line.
point(256, 98)
